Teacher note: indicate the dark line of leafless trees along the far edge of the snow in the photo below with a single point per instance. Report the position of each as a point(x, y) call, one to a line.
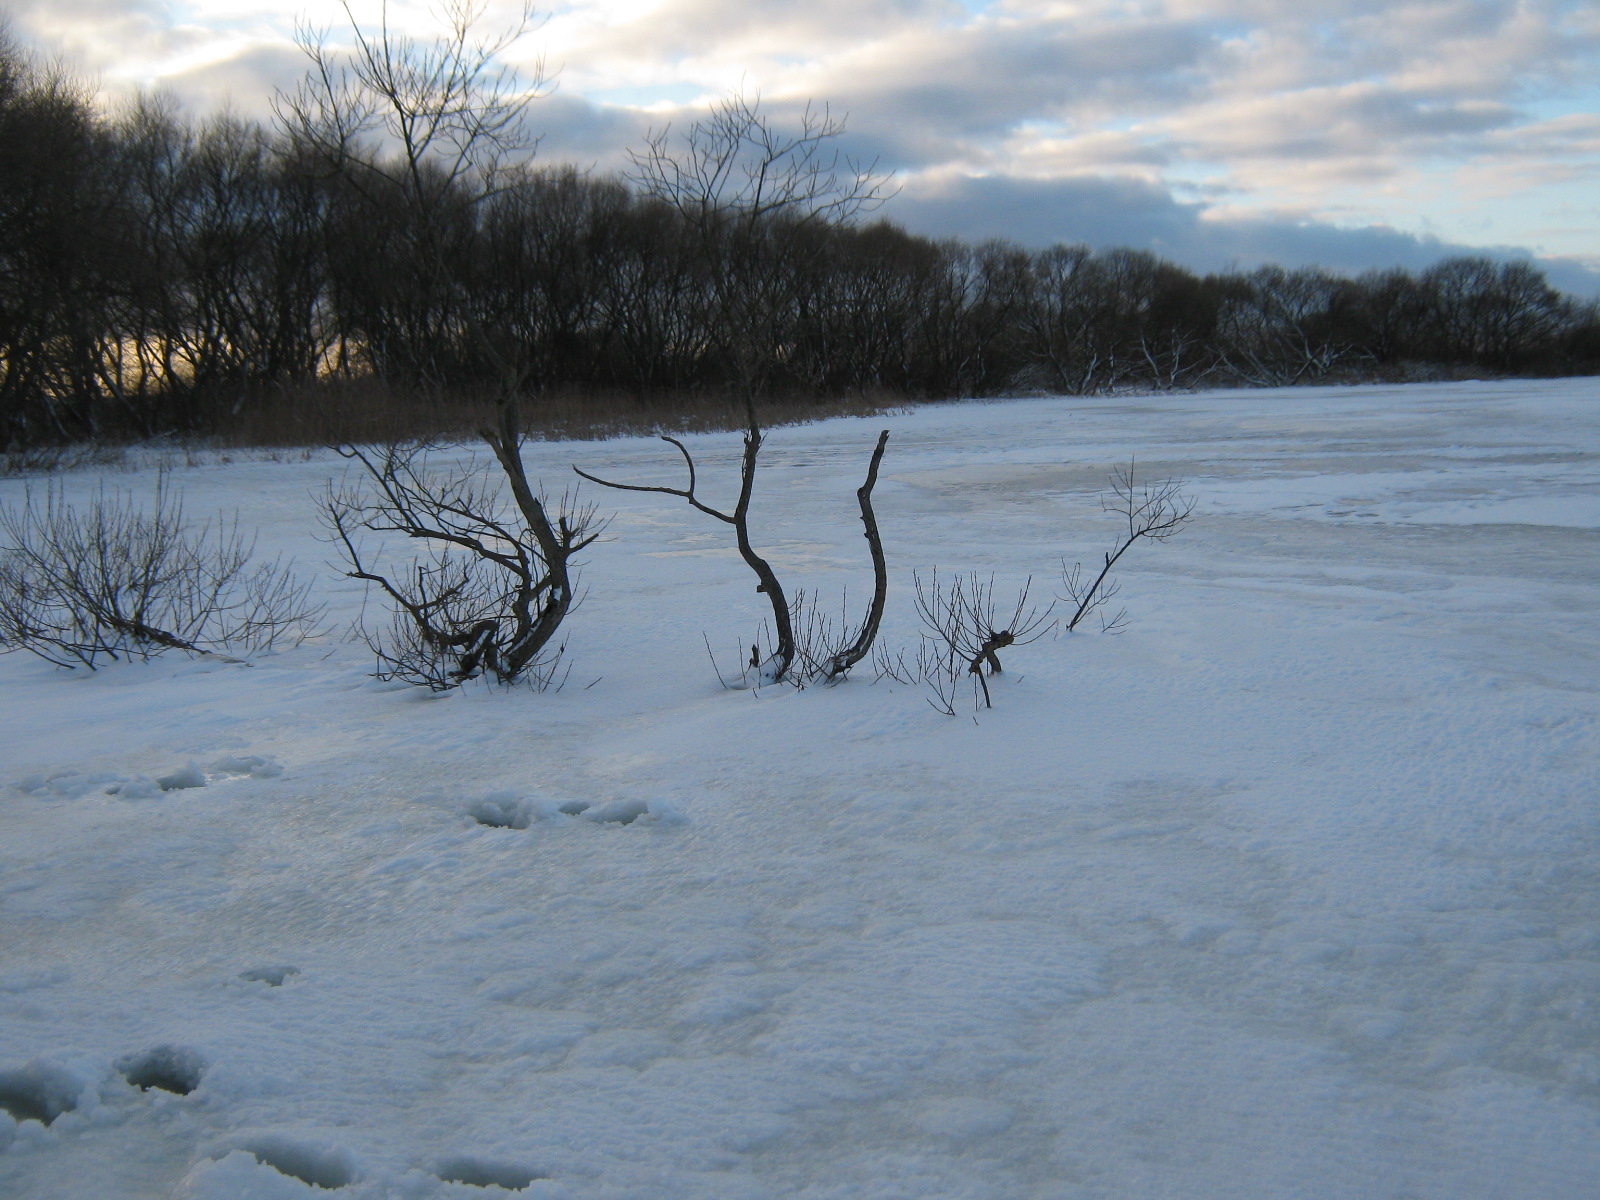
point(158, 276)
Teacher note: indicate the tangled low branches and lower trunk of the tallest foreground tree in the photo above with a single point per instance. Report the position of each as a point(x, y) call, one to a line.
point(490, 594)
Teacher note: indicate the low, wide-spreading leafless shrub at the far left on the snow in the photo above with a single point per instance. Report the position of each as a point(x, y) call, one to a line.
point(111, 582)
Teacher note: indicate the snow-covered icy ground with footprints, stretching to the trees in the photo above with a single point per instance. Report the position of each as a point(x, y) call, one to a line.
point(1290, 890)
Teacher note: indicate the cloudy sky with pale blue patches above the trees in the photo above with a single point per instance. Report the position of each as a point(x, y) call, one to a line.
point(1350, 134)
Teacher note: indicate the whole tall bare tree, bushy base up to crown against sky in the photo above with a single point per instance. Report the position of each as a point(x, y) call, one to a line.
point(441, 124)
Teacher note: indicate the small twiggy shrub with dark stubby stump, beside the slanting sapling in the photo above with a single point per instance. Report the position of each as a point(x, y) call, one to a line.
point(964, 634)
